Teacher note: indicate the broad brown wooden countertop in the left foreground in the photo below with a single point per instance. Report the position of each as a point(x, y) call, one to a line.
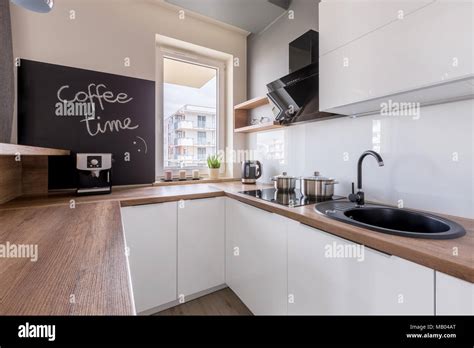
point(80, 267)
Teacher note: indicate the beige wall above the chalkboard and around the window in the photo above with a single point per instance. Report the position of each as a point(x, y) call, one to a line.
point(105, 32)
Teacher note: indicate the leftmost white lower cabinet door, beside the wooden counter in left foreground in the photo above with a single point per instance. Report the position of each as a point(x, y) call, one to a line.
point(150, 232)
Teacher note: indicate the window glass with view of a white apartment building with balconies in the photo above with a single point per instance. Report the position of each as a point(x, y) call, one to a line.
point(191, 111)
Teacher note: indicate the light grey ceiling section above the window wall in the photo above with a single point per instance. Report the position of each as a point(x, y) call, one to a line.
point(250, 15)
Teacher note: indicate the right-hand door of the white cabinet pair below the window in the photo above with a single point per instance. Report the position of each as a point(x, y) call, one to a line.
point(201, 245)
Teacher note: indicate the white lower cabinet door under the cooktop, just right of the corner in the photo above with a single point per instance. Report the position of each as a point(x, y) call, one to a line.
point(256, 257)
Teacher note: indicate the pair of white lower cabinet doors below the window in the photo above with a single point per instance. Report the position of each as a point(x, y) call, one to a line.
point(175, 249)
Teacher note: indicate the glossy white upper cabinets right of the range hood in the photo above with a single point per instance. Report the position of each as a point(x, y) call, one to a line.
point(374, 51)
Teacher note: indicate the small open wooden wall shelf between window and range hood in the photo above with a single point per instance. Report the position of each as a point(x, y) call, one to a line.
point(241, 116)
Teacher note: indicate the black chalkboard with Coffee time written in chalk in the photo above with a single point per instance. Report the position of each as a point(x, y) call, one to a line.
point(88, 111)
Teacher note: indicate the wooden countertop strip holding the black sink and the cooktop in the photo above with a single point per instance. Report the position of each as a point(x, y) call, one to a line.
point(452, 256)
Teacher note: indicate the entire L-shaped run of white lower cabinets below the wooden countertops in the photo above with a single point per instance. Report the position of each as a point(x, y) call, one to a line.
point(275, 265)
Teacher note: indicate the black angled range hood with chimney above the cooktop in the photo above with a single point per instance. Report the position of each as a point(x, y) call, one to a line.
point(295, 97)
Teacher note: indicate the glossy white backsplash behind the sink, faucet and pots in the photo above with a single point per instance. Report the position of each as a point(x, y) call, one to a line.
point(428, 161)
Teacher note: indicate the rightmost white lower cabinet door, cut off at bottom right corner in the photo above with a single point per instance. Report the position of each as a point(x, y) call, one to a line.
point(453, 296)
